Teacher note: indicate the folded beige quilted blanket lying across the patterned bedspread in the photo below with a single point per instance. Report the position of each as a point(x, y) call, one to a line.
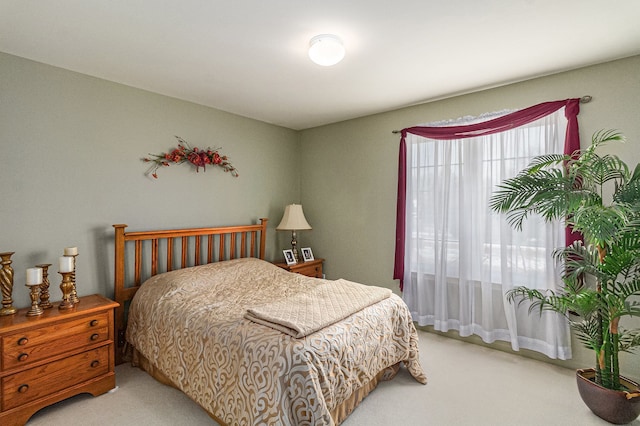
point(326, 304)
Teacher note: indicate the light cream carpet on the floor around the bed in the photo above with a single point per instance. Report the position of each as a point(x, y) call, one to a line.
point(468, 385)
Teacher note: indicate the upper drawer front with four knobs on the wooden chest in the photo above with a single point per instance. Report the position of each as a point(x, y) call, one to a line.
point(34, 345)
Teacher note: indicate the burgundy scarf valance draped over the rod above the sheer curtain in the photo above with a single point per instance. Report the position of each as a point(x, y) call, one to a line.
point(496, 125)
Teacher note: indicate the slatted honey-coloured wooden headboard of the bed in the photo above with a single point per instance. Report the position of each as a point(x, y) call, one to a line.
point(152, 252)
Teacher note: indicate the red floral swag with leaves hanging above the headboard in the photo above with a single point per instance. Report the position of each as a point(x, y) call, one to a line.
point(195, 156)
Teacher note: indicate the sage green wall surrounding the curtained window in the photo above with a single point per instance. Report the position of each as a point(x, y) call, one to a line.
point(350, 168)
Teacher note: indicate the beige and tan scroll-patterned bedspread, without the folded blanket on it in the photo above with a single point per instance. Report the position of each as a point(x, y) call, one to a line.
point(190, 325)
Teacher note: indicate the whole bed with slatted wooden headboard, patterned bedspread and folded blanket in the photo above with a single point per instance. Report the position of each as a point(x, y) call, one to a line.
point(222, 327)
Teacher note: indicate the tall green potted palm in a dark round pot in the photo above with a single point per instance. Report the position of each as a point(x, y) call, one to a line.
point(601, 273)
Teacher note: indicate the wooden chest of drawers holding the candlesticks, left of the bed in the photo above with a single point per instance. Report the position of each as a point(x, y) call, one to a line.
point(54, 356)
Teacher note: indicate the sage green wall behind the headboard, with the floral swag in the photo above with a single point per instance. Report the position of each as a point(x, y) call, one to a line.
point(70, 167)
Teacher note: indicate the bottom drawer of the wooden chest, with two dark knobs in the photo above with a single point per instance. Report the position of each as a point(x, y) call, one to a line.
point(37, 382)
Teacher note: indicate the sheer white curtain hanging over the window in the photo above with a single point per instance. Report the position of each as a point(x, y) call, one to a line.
point(461, 258)
